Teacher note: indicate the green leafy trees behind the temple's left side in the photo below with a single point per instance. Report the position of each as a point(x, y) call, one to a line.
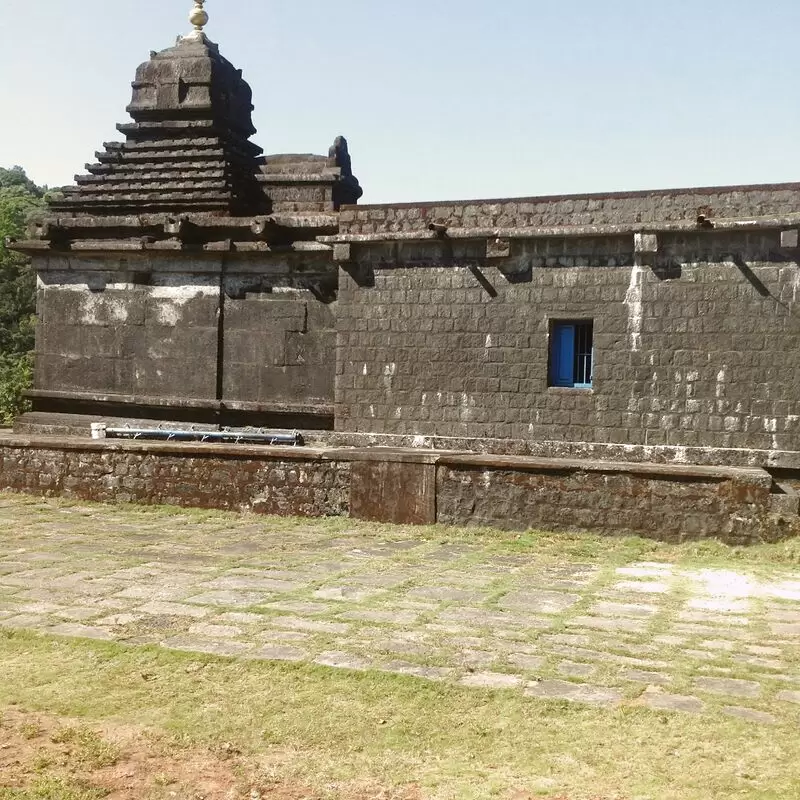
point(18, 197)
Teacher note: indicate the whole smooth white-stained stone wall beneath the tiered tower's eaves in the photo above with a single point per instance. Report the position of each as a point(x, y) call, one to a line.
point(184, 331)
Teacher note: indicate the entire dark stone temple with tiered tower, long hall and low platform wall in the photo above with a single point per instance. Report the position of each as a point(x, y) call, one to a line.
point(621, 362)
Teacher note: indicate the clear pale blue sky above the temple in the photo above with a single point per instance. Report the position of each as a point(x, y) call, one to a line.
point(439, 100)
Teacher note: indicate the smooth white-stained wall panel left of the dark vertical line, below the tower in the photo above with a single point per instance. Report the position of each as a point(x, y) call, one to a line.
point(104, 333)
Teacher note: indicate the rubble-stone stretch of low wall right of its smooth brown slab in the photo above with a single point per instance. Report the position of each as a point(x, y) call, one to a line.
point(664, 507)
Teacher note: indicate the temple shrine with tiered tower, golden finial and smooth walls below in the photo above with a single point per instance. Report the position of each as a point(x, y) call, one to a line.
point(181, 279)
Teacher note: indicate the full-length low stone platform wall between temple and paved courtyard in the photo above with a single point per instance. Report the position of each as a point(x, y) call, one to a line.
point(666, 502)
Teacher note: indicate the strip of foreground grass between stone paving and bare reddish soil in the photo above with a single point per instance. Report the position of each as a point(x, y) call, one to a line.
point(326, 726)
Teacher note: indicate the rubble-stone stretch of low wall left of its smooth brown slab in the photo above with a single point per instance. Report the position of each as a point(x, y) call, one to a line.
point(239, 481)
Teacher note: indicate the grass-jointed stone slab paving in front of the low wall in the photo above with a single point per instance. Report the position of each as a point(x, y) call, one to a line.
point(347, 595)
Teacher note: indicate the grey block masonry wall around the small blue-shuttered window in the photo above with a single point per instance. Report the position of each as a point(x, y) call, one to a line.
point(700, 350)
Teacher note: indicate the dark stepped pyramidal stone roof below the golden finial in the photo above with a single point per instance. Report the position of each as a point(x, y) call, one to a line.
point(187, 149)
